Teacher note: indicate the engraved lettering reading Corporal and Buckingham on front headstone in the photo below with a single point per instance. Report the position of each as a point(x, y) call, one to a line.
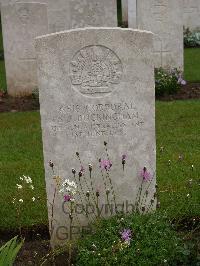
point(91, 121)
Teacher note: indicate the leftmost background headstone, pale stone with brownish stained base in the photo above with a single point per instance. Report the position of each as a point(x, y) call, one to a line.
point(21, 23)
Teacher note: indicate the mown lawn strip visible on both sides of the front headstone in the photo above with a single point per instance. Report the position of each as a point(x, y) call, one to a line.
point(177, 130)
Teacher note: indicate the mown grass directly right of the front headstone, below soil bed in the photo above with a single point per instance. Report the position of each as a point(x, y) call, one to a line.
point(178, 131)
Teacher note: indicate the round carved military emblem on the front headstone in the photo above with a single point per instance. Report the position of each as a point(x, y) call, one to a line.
point(95, 70)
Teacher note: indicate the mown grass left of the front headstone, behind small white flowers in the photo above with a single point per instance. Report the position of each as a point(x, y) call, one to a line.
point(21, 153)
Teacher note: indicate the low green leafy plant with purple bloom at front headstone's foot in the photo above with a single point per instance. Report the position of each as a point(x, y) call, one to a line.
point(147, 239)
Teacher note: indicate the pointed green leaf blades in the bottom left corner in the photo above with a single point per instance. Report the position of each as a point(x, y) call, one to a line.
point(9, 251)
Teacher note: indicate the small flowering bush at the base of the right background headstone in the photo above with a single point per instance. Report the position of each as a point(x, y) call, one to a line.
point(167, 81)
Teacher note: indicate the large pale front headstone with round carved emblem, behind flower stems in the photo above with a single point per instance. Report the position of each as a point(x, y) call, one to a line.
point(96, 85)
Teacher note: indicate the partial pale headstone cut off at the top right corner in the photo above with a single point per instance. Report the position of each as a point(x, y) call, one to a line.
point(191, 15)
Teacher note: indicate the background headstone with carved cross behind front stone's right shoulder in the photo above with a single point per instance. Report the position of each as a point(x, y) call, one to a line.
point(164, 19)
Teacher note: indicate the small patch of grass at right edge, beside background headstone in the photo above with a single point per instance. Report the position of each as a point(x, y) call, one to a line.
point(192, 64)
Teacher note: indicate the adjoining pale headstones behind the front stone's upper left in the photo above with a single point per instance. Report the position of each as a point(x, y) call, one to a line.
point(23, 21)
